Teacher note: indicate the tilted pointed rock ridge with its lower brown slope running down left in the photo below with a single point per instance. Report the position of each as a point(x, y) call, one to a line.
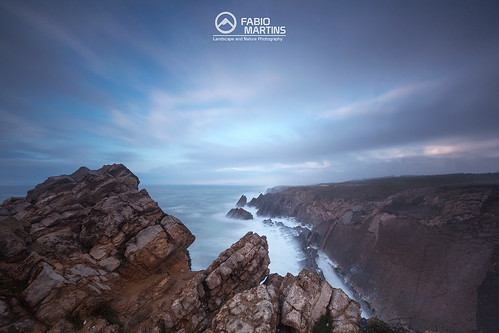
point(197, 297)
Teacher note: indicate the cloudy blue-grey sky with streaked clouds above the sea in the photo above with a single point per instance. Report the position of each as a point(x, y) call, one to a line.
point(356, 89)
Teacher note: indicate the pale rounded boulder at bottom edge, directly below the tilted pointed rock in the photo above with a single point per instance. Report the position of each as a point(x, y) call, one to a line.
point(255, 310)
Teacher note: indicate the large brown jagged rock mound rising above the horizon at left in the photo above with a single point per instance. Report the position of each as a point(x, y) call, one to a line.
point(72, 233)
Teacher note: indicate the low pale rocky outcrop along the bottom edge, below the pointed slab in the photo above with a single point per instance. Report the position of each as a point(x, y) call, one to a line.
point(288, 304)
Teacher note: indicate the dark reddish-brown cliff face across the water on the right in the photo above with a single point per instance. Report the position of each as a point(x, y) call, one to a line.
point(423, 249)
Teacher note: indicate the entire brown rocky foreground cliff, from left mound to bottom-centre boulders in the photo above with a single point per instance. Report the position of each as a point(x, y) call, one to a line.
point(89, 252)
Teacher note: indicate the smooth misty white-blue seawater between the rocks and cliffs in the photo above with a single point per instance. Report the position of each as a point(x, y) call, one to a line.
point(202, 208)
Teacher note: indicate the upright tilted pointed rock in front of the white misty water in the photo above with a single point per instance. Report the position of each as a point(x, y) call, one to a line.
point(243, 266)
